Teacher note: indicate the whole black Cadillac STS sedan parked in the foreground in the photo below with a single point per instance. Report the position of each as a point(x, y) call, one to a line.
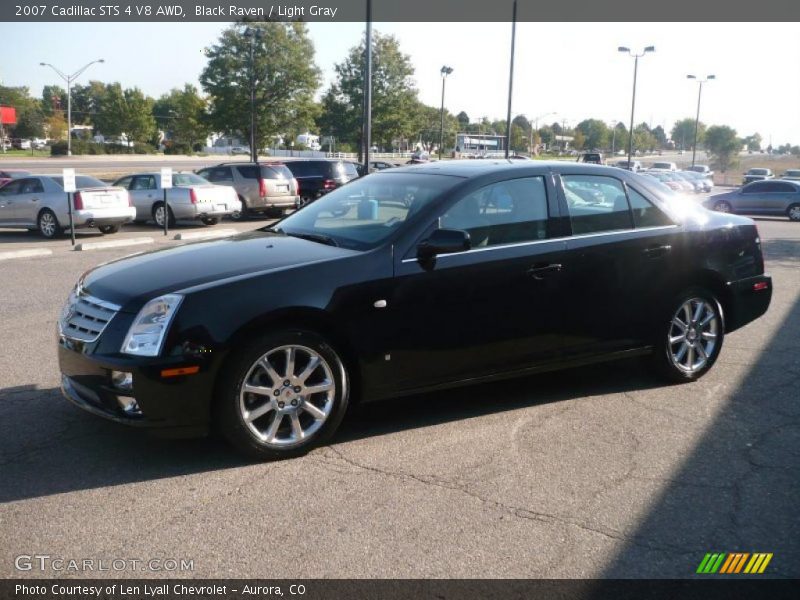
point(407, 280)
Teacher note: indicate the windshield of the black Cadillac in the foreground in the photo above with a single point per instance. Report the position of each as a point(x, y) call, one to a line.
point(365, 212)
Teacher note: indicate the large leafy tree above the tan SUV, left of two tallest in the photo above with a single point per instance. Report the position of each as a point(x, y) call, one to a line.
point(285, 76)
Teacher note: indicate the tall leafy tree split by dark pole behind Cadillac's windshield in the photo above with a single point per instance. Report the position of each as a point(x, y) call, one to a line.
point(394, 96)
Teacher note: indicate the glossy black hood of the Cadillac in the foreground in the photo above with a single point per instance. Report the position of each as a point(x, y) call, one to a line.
point(132, 281)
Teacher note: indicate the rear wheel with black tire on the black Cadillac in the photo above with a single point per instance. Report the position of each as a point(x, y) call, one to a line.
point(698, 340)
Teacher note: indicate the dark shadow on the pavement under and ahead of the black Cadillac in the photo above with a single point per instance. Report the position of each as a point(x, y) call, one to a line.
point(48, 446)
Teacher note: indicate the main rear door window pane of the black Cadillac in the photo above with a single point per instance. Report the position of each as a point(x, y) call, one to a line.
point(601, 204)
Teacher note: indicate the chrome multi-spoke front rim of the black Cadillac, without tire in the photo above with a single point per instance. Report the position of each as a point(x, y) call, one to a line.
point(287, 395)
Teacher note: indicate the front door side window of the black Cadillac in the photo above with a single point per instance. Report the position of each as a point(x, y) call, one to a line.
point(502, 213)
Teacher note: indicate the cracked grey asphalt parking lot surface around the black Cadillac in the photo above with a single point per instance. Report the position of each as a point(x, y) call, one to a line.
point(594, 472)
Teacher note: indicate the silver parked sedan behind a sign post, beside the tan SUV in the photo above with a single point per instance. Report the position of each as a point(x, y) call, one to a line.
point(191, 197)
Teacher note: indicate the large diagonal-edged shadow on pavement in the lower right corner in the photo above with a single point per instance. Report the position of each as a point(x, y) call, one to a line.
point(738, 489)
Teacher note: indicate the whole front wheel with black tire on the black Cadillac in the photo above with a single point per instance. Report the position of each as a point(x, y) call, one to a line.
point(231, 404)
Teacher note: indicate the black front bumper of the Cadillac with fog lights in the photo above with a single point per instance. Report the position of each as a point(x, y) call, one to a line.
point(175, 406)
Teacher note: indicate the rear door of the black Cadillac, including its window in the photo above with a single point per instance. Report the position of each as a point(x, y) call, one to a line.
point(615, 264)
